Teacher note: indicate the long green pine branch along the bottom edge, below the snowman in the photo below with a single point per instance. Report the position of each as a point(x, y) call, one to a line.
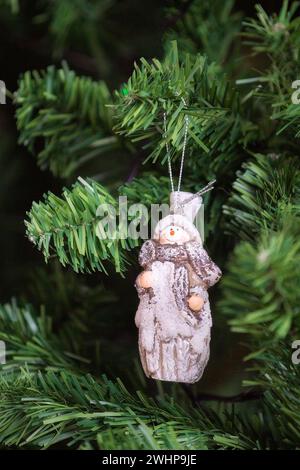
point(58, 407)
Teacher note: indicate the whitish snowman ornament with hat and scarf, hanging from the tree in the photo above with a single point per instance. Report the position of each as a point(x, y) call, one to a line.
point(173, 316)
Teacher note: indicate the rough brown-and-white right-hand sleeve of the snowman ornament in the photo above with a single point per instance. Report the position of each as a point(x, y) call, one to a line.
point(202, 264)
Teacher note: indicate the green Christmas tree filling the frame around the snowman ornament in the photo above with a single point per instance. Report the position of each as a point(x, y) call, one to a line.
point(89, 110)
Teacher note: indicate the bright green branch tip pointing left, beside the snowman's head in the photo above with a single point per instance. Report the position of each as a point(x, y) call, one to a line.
point(68, 228)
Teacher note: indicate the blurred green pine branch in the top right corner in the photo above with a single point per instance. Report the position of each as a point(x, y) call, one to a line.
point(278, 37)
